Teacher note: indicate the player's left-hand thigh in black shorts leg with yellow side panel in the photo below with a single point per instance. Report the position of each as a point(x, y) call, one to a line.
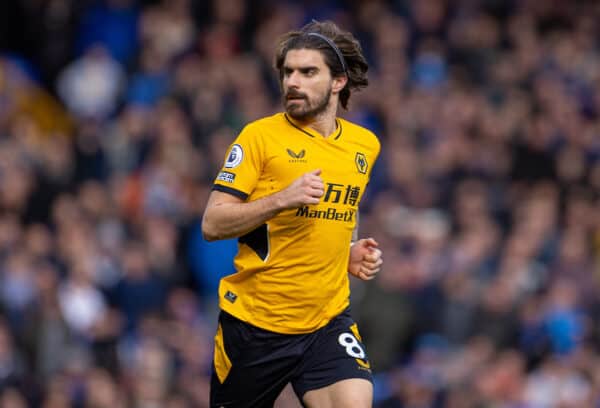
point(250, 366)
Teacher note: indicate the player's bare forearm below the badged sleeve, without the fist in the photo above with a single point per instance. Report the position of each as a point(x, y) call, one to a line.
point(228, 220)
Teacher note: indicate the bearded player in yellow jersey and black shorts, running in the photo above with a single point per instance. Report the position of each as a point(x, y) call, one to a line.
point(289, 190)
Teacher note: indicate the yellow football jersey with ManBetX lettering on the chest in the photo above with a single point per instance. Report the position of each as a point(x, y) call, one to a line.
point(292, 271)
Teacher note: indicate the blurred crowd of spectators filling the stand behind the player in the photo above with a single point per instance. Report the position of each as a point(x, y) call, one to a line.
point(114, 119)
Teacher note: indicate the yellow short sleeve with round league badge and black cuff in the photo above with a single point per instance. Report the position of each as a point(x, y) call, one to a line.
point(243, 164)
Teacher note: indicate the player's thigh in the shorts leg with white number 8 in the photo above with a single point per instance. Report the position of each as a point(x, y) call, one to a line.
point(337, 354)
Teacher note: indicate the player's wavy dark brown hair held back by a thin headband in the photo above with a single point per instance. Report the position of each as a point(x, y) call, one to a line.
point(348, 46)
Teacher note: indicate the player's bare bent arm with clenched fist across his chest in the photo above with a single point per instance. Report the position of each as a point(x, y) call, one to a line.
point(228, 216)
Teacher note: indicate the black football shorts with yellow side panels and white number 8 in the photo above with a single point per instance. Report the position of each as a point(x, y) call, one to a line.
point(251, 366)
